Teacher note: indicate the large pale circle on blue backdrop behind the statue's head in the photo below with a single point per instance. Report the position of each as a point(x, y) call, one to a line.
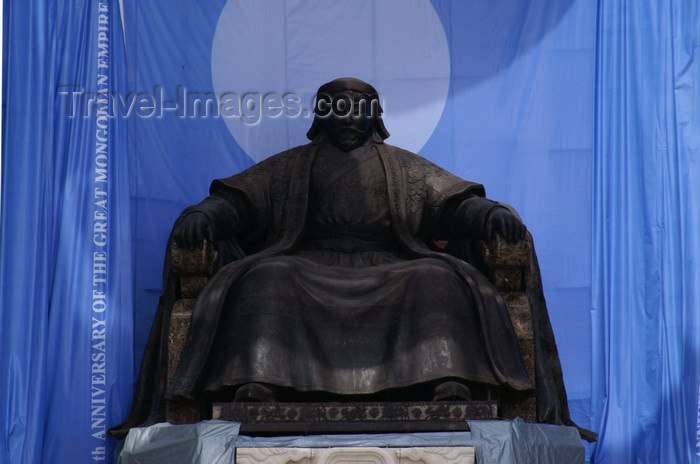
point(287, 49)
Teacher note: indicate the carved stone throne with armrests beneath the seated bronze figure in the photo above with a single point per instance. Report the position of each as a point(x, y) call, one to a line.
point(510, 267)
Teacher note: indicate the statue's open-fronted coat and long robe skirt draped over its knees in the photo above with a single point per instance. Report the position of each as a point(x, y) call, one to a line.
point(260, 320)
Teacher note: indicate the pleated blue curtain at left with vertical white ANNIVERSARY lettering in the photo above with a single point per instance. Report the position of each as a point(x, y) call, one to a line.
point(65, 262)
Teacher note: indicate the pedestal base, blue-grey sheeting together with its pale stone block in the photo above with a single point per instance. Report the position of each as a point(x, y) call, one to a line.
point(489, 442)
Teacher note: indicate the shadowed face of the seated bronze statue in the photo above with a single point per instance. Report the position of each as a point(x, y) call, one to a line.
point(348, 124)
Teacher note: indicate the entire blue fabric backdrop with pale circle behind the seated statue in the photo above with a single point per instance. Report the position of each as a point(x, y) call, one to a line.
point(581, 114)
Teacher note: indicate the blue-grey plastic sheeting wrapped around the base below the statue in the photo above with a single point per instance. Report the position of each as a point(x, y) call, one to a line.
point(214, 442)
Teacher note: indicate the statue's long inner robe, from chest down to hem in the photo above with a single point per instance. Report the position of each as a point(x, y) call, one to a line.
point(347, 310)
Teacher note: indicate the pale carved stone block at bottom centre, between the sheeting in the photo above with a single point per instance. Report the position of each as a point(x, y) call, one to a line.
point(356, 455)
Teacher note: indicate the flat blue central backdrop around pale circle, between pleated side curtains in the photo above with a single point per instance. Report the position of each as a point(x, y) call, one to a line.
point(518, 117)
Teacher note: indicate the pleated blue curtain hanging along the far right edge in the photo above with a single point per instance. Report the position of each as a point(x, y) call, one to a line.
point(646, 273)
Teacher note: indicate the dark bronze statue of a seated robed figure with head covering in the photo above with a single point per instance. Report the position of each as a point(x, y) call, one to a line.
point(330, 280)
